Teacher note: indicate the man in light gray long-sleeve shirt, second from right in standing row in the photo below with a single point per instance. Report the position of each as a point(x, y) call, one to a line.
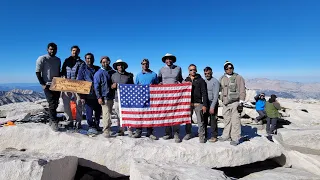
point(213, 87)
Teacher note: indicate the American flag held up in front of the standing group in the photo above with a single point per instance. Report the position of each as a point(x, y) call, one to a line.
point(154, 105)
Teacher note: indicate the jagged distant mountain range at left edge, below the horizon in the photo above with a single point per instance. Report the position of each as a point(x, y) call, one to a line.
point(19, 95)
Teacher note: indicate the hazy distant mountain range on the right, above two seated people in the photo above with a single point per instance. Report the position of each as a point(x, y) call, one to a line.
point(285, 89)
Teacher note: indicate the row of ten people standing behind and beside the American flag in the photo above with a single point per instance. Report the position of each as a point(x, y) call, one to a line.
point(103, 94)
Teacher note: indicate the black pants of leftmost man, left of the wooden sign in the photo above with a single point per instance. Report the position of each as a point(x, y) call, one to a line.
point(53, 100)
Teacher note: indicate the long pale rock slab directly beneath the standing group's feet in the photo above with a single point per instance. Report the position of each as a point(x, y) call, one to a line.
point(116, 153)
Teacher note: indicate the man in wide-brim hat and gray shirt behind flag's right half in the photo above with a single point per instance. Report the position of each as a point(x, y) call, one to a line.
point(170, 74)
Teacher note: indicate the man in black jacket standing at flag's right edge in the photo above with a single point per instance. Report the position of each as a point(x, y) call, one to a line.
point(199, 102)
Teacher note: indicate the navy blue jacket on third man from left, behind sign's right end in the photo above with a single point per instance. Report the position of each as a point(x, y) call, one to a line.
point(87, 74)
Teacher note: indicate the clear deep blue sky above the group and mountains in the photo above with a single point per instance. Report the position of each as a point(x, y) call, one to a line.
point(277, 39)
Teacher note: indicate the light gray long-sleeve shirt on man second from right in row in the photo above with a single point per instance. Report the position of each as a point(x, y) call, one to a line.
point(213, 87)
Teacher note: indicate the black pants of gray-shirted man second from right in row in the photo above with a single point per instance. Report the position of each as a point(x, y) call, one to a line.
point(213, 121)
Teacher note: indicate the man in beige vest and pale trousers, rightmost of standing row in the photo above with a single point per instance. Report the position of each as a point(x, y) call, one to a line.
point(233, 94)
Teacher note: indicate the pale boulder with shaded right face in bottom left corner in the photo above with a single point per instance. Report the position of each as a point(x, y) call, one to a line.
point(17, 165)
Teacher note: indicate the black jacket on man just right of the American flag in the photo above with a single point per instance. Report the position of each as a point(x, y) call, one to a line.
point(199, 92)
